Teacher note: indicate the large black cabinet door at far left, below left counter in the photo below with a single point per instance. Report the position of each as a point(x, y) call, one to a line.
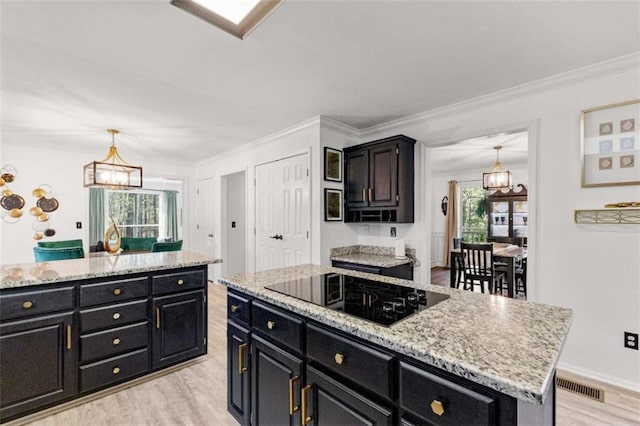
point(37, 360)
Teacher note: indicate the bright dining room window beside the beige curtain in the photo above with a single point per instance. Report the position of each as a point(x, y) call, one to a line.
point(474, 214)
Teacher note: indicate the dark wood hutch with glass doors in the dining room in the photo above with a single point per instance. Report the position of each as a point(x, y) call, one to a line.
point(507, 215)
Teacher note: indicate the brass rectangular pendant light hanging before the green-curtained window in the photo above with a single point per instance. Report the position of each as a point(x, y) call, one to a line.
point(112, 172)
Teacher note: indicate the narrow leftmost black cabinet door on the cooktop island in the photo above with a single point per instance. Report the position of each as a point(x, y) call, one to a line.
point(238, 373)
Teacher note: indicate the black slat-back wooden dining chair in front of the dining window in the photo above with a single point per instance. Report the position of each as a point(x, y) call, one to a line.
point(478, 267)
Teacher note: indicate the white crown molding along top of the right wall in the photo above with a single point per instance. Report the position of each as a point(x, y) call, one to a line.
point(591, 72)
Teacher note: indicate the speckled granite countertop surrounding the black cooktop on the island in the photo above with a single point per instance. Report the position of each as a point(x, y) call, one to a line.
point(508, 345)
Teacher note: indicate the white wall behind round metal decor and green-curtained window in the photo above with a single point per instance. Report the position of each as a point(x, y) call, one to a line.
point(63, 172)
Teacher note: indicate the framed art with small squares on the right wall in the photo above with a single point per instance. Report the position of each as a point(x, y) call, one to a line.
point(610, 145)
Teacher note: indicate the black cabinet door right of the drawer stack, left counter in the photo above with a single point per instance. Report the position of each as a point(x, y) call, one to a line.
point(178, 328)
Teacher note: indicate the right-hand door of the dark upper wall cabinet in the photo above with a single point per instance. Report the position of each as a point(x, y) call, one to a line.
point(383, 176)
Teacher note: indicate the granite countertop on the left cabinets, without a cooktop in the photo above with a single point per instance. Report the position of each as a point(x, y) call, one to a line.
point(32, 274)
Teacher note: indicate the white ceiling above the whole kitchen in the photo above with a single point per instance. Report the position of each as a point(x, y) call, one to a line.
point(180, 88)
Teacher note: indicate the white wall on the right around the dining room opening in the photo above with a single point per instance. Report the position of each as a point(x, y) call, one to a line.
point(594, 270)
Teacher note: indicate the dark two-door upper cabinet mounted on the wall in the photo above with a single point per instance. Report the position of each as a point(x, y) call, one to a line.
point(379, 180)
